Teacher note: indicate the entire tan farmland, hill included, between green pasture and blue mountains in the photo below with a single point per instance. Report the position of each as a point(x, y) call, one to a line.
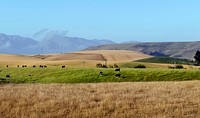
point(75, 59)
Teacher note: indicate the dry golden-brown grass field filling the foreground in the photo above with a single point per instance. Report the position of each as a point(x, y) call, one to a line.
point(139, 99)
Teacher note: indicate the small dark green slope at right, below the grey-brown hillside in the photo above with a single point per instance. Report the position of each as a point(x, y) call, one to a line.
point(168, 60)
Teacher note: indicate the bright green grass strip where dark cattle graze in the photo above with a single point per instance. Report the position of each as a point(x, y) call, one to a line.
point(71, 75)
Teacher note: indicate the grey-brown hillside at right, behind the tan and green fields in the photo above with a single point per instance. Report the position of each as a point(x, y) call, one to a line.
point(184, 50)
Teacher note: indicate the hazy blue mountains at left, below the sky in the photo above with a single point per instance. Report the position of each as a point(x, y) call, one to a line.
point(53, 43)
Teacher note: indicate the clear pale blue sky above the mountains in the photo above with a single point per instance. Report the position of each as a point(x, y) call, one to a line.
point(116, 20)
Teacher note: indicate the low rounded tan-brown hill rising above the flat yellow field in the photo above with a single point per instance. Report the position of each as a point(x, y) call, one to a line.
point(101, 55)
